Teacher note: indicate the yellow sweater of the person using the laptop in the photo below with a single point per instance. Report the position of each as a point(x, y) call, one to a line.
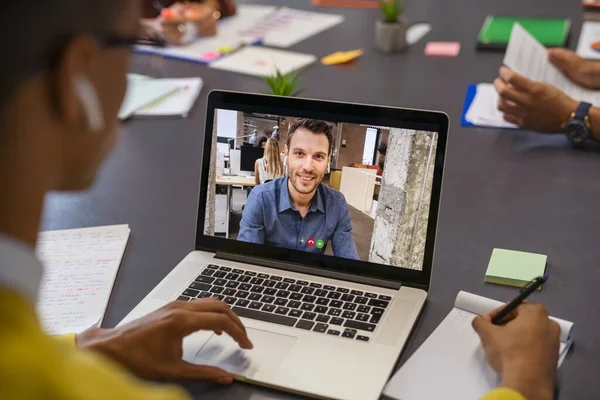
point(36, 366)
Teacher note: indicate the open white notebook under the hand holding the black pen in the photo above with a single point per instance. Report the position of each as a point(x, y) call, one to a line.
point(451, 363)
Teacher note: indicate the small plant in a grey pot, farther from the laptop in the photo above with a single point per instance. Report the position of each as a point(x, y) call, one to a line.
point(390, 33)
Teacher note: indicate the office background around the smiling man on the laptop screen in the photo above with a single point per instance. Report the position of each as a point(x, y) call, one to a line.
point(385, 175)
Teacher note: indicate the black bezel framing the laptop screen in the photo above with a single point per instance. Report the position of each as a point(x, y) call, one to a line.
point(329, 111)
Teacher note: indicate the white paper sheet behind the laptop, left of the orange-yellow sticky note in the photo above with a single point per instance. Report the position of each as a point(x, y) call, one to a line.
point(261, 61)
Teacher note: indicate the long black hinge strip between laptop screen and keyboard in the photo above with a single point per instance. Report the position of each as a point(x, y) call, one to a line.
point(264, 262)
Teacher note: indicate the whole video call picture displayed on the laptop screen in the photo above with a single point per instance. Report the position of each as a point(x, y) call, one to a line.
point(331, 187)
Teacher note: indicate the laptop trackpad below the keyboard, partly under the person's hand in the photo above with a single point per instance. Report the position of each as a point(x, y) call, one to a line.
point(270, 349)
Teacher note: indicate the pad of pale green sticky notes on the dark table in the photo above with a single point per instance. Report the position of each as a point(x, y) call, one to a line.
point(514, 268)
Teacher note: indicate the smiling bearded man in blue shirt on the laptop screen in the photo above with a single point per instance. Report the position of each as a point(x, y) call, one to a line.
point(298, 212)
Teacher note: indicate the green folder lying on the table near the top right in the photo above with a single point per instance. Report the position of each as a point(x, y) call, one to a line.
point(495, 32)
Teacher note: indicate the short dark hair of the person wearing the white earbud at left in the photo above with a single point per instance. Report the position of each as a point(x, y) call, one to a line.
point(35, 31)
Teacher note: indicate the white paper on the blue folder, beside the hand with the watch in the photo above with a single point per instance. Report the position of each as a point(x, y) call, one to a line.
point(484, 108)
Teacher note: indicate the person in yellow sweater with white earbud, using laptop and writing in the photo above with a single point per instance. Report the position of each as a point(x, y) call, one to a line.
point(60, 93)
